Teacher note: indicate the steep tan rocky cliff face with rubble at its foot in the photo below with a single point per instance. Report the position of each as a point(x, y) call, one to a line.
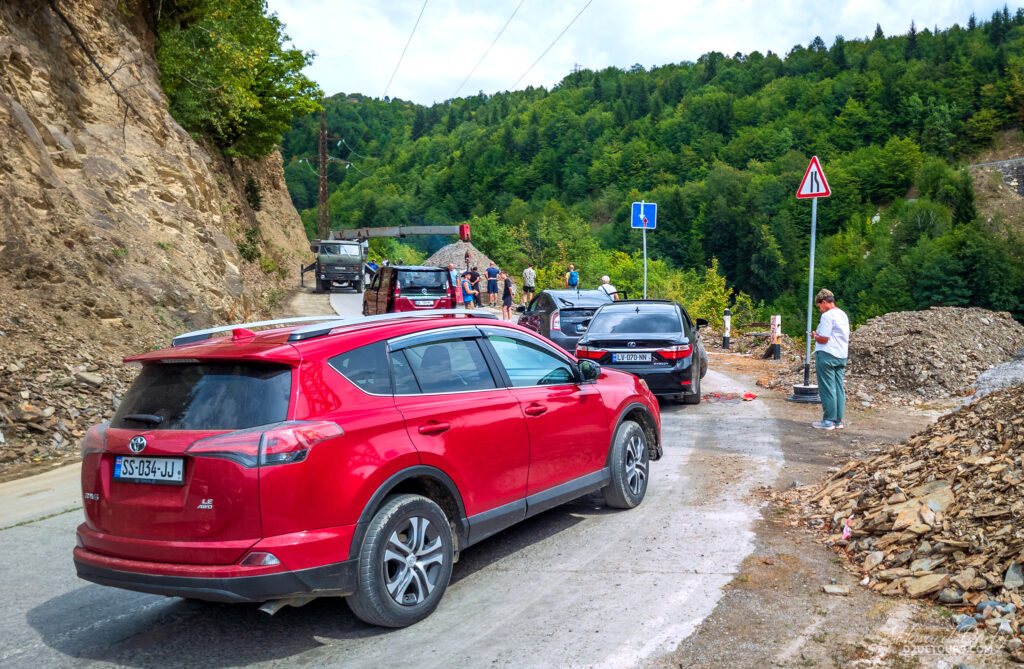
point(117, 229)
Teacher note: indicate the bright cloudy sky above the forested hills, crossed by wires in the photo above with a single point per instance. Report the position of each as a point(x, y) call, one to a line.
point(359, 43)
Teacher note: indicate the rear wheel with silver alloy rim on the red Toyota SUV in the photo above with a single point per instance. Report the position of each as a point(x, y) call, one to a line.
point(405, 563)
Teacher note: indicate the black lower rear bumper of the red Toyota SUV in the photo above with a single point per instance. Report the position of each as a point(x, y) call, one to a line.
point(330, 580)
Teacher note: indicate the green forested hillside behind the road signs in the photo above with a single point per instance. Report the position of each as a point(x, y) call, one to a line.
point(720, 145)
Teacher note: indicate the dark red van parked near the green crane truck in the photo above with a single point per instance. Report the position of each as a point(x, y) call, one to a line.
point(408, 288)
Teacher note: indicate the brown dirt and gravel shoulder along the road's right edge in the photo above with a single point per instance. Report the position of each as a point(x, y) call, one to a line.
point(774, 613)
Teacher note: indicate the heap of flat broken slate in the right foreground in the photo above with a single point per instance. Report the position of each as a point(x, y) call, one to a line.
point(941, 516)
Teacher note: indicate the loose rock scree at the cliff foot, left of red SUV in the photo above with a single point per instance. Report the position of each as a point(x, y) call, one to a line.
point(57, 381)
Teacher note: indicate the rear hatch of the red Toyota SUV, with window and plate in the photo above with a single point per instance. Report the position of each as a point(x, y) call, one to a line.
point(147, 497)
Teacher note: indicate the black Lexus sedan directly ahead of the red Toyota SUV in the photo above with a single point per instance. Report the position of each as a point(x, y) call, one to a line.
point(655, 340)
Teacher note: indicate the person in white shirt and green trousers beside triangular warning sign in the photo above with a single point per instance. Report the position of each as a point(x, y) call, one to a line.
point(831, 351)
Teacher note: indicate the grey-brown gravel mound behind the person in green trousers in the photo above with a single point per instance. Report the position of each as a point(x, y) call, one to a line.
point(911, 357)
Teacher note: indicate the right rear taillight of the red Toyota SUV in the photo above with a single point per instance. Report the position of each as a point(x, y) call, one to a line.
point(268, 445)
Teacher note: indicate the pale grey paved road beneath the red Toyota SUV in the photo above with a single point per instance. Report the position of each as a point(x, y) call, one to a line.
point(580, 586)
